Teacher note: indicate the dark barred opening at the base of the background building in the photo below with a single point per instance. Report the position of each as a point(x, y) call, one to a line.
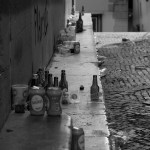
point(97, 22)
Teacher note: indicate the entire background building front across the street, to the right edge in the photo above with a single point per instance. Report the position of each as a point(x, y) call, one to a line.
point(118, 15)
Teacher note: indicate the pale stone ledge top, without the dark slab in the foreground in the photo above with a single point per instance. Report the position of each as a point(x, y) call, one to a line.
point(80, 68)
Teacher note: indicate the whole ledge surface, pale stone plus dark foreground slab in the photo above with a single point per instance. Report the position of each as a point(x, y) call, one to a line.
point(26, 132)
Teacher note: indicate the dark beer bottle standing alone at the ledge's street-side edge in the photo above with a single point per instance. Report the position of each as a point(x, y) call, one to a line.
point(94, 91)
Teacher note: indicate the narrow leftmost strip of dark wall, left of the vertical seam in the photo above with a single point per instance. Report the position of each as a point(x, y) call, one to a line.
point(4, 62)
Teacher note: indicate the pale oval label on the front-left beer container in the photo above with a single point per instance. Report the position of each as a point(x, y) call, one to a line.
point(37, 103)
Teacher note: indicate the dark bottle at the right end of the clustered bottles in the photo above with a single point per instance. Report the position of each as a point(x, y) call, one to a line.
point(63, 84)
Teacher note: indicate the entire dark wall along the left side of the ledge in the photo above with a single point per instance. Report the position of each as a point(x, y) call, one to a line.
point(28, 32)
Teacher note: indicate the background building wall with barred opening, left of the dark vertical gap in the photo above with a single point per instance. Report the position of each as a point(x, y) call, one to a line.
point(107, 15)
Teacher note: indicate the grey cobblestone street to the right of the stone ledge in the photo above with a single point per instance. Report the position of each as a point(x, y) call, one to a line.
point(126, 87)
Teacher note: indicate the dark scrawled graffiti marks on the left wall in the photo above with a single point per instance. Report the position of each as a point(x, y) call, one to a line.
point(40, 23)
